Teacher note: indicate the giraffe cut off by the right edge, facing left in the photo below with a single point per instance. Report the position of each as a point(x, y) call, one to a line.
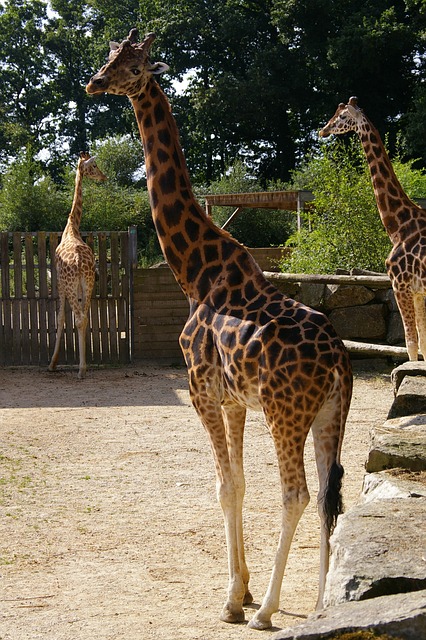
point(404, 221)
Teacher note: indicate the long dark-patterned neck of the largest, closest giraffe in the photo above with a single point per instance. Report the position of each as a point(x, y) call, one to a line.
point(195, 249)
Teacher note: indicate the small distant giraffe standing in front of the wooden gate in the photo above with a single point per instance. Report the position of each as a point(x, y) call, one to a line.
point(75, 266)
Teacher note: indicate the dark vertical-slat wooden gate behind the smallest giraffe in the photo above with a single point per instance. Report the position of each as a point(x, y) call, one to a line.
point(29, 300)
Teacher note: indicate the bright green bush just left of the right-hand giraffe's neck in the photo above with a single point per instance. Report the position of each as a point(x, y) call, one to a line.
point(344, 229)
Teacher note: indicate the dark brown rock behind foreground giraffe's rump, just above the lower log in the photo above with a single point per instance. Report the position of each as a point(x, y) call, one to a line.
point(367, 322)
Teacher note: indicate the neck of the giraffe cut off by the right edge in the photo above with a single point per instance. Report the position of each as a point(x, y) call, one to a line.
point(390, 196)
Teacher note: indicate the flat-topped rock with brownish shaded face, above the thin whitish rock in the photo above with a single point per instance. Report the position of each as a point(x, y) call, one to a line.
point(400, 442)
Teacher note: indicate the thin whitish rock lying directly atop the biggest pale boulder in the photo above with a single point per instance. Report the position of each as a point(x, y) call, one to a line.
point(394, 483)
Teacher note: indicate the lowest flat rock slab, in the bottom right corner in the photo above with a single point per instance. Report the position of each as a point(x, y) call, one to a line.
point(402, 616)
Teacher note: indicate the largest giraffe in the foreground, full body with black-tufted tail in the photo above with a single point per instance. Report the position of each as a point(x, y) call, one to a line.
point(246, 345)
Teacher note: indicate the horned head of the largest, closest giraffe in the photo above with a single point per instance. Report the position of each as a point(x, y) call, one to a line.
point(128, 68)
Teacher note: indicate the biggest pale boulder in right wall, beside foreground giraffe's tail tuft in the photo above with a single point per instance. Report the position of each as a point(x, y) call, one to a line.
point(377, 549)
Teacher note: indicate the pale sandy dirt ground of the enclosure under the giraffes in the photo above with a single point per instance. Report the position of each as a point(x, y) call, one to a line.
point(109, 525)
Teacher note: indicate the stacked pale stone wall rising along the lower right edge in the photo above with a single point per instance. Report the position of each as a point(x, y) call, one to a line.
point(377, 576)
